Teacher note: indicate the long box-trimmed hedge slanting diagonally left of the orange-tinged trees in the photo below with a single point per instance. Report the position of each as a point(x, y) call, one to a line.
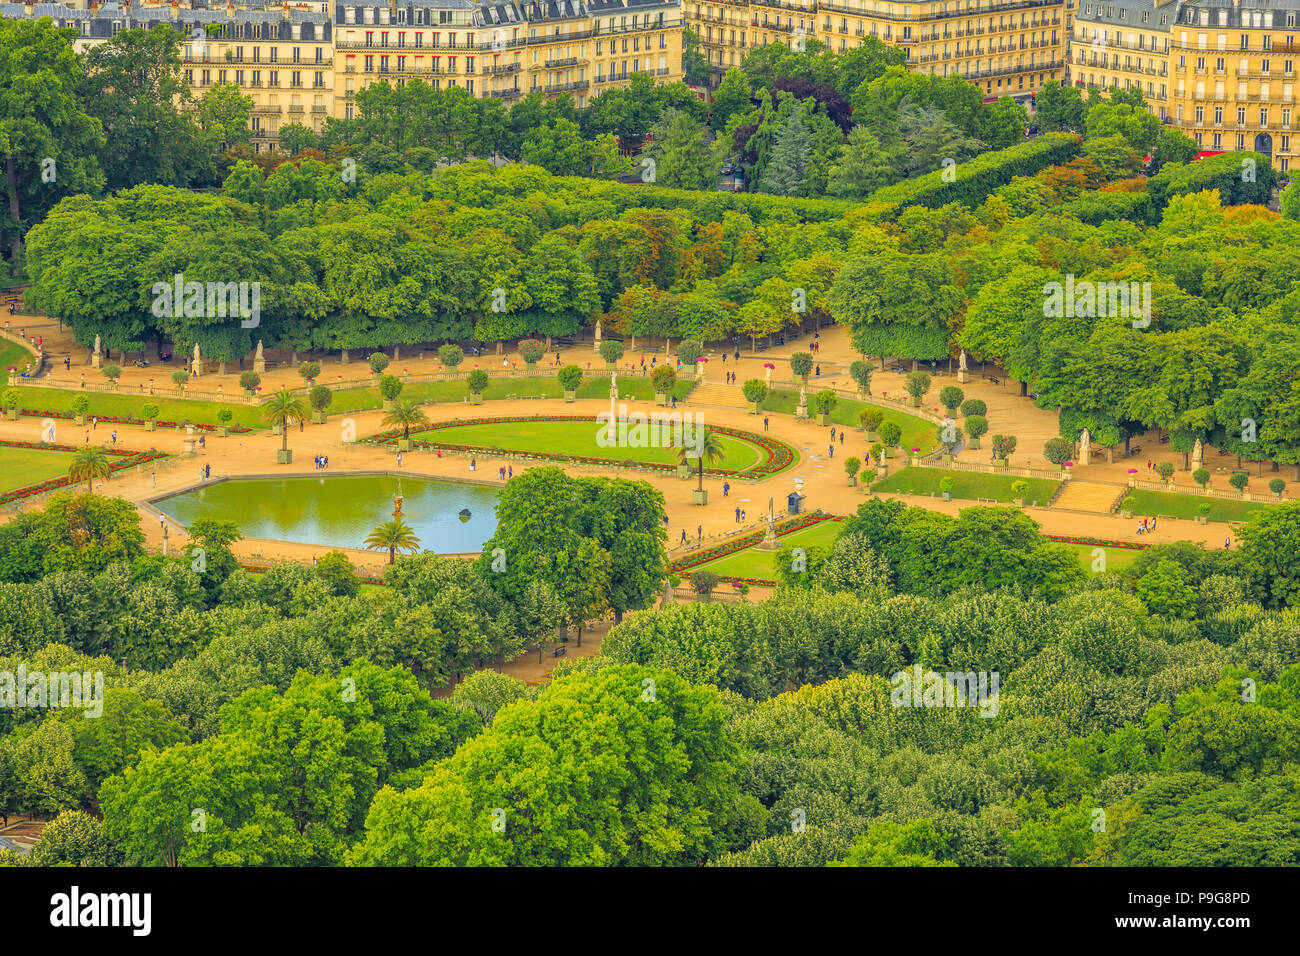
point(980, 176)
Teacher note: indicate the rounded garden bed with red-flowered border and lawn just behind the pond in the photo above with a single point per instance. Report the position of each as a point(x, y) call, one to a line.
point(765, 456)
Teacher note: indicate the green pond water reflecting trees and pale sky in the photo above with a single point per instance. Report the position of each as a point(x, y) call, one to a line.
point(341, 511)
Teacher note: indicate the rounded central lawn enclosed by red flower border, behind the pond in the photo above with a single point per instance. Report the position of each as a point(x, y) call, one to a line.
point(579, 439)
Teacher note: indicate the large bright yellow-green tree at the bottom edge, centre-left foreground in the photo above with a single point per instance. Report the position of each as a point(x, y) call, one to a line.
point(635, 806)
